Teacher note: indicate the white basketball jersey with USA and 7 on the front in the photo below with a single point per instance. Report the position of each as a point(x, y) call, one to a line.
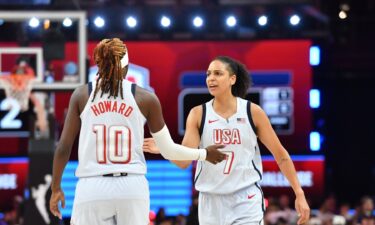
point(243, 166)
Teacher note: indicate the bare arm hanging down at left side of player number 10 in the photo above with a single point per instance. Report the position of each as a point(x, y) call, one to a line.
point(71, 127)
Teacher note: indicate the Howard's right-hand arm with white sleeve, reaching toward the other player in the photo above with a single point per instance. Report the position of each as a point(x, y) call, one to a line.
point(169, 150)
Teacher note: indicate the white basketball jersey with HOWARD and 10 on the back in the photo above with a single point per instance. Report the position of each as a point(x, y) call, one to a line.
point(111, 136)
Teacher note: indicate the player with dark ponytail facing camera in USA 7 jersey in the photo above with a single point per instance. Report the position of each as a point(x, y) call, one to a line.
point(230, 191)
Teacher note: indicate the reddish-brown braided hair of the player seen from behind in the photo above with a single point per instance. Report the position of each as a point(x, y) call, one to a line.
point(107, 55)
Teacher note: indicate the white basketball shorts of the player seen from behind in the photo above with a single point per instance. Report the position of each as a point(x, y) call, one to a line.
point(111, 201)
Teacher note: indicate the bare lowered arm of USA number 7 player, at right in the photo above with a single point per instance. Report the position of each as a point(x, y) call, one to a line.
point(269, 138)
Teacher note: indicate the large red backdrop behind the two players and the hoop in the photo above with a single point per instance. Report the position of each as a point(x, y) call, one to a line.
point(167, 60)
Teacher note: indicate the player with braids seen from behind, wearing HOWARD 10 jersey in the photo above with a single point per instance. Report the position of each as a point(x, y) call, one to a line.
point(110, 114)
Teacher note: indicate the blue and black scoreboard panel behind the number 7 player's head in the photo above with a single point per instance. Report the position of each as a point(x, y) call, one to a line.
point(271, 90)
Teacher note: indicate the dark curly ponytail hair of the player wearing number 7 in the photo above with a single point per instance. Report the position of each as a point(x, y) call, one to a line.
point(243, 81)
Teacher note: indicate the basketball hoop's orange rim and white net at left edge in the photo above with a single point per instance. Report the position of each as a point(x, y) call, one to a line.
point(18, 87)
